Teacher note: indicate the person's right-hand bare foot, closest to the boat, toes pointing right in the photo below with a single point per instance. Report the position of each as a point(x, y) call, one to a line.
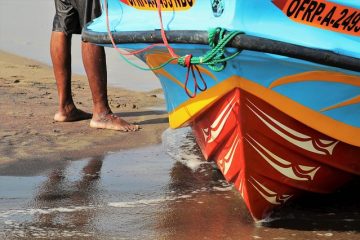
point(113, 122)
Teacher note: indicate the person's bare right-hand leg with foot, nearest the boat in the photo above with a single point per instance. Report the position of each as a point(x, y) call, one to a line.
point(95, 66)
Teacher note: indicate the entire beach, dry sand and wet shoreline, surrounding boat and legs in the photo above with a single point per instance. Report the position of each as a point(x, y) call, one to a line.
point(70, 181)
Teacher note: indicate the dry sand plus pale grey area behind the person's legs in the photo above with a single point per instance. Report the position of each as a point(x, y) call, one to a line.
point(29, 92)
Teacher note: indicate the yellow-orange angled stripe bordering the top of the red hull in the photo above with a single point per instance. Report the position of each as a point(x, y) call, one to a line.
point(187, 111)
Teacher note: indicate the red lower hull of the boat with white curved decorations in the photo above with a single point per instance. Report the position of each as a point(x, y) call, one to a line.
point(269, 156)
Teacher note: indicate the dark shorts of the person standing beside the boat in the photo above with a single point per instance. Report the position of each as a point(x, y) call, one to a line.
point(72, 15)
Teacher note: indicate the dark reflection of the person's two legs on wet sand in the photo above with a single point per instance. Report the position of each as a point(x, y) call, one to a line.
point(59, 191)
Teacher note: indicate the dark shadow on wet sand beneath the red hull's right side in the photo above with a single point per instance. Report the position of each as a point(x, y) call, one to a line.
point(339, 211)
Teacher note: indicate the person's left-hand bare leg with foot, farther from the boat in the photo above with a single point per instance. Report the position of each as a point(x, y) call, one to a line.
point(60, 50)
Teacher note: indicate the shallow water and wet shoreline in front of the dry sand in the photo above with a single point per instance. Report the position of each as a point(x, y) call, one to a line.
point(148, 194)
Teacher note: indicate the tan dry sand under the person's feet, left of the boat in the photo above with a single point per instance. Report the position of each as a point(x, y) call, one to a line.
point(28, 98)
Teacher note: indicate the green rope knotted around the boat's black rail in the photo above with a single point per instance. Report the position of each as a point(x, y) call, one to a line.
point(216, 58)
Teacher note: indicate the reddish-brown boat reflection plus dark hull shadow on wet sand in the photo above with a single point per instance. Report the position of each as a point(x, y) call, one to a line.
point(212, 212)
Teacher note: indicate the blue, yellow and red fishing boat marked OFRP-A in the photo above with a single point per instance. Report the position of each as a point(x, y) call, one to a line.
point(270, 88)
